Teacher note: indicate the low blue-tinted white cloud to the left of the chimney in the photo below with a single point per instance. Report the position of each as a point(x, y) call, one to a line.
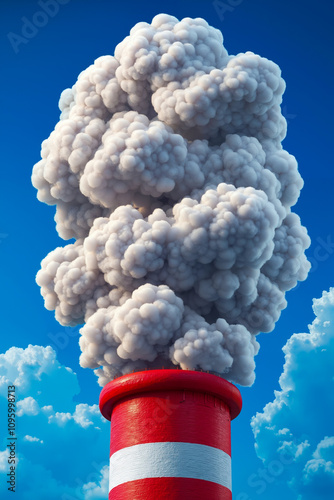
point(63, 442)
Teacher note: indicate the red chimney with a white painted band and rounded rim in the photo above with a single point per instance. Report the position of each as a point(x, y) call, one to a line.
point(170, 435)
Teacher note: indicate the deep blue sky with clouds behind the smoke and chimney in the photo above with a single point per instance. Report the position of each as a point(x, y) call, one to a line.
point(57, 403)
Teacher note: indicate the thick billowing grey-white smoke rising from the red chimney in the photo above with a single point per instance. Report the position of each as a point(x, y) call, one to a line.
point(167, 169)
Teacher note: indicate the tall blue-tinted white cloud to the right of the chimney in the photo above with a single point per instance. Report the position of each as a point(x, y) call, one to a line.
point(298, 424)
